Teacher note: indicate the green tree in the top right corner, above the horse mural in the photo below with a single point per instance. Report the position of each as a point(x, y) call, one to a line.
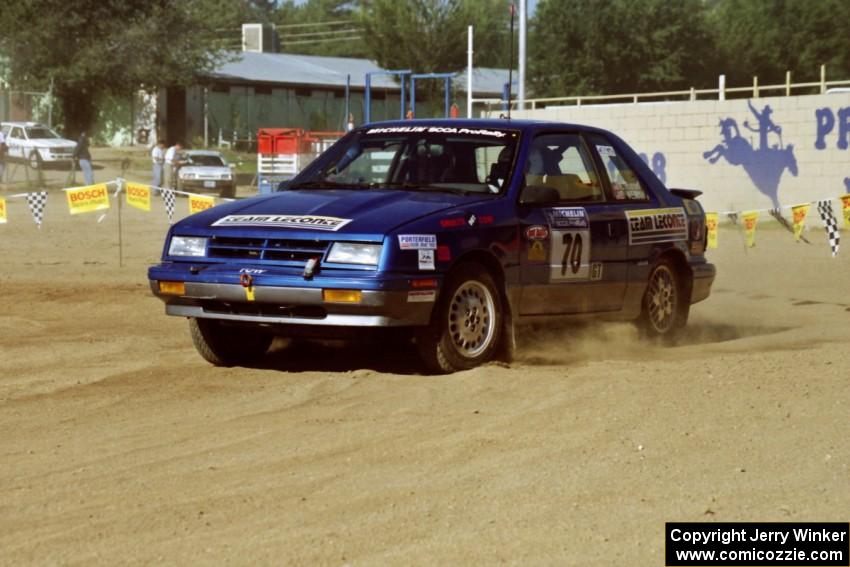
point(765, 38)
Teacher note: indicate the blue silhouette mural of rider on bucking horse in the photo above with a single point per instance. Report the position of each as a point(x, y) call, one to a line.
point(764, 165)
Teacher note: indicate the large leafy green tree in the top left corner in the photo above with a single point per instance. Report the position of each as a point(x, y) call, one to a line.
point(91, 48)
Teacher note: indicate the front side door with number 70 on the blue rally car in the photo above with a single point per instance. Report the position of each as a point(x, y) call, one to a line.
point(567, 262)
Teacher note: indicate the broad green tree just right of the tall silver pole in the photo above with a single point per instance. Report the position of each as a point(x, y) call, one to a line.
point(581, 47)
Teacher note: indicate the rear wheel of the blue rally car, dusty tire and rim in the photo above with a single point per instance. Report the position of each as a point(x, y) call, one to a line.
point(665, 308)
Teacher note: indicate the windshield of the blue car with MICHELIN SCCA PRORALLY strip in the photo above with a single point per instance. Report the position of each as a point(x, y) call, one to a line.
point(469, 160)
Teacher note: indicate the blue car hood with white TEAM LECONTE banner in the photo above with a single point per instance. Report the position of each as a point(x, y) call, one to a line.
point(365, 214)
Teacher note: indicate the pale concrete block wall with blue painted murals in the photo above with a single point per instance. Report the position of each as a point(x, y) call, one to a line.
point(782, 151)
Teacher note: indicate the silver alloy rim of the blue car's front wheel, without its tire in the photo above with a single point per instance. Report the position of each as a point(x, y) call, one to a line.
point(472, 321)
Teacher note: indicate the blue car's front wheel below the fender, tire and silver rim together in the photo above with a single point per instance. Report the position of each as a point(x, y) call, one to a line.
point(467, 323)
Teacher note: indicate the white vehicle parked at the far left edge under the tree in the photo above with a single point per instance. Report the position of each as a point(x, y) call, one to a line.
point(36, 144)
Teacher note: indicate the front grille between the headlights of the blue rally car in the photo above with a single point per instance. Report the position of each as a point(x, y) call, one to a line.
point(281, 251)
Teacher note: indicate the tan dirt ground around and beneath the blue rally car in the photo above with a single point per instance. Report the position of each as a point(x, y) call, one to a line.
point(120, 445)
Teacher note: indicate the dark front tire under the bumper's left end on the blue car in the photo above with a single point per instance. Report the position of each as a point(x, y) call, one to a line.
point(222, 345)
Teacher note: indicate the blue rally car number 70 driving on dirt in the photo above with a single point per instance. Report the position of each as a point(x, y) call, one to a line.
point(454, 231)
